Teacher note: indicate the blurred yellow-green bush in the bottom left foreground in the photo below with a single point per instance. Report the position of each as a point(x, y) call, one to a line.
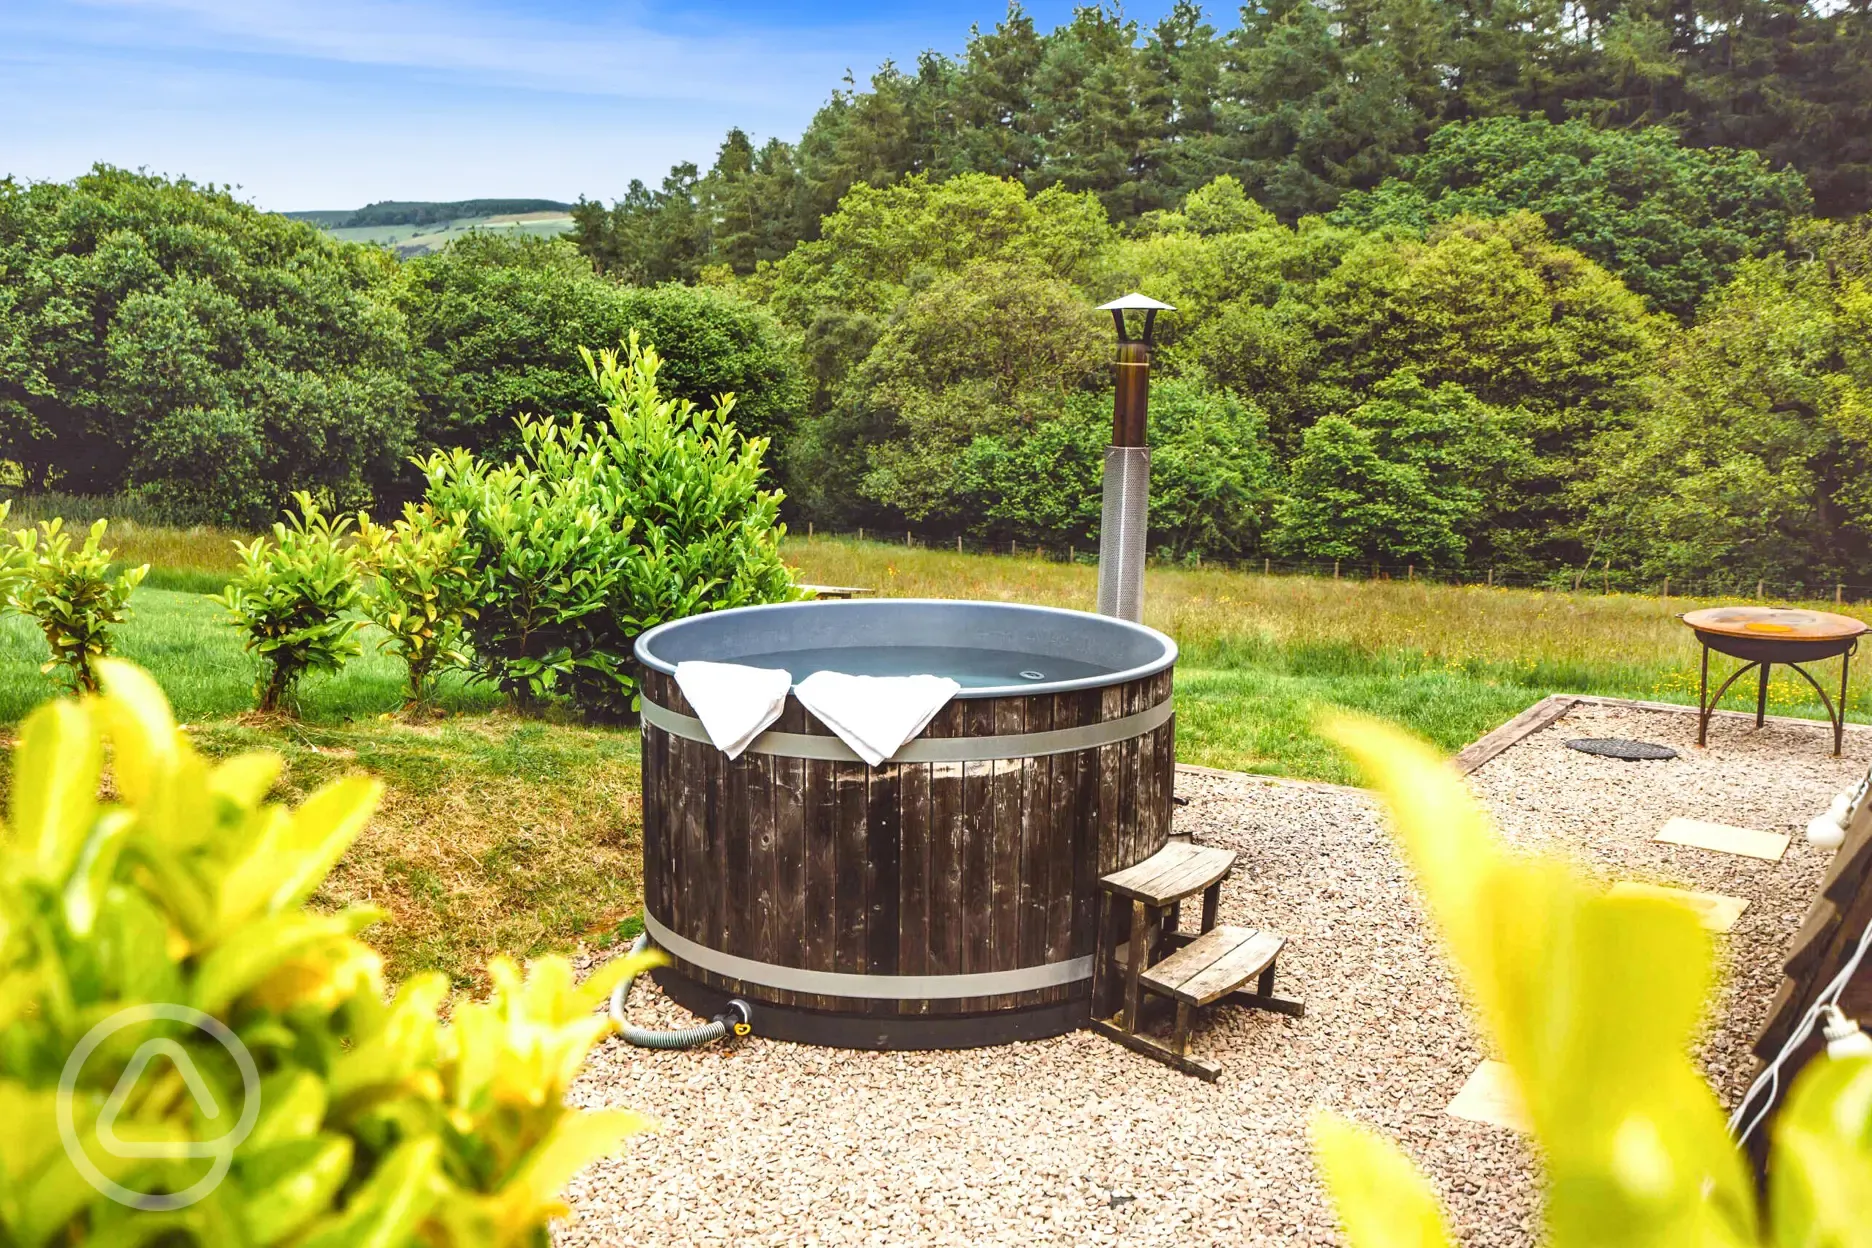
point(325, 1110)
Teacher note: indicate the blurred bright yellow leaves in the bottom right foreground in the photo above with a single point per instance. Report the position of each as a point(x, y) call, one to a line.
point(1594, 1002)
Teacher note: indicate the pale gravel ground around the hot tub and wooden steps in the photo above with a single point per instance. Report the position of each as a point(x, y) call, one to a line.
point(1079, 1142)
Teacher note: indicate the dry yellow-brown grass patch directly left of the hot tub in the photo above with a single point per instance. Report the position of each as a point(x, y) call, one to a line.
point(495, 835)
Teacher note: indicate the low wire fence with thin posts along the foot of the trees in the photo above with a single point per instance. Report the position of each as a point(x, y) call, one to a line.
point(1601, 579)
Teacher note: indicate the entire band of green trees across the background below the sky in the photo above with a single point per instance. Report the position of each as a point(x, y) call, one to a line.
point(1455, 285)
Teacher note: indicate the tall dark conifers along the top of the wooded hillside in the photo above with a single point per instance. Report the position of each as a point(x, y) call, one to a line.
point(1304, 104)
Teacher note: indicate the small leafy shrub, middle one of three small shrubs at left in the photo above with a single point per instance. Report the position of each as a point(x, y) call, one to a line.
point(293, 600)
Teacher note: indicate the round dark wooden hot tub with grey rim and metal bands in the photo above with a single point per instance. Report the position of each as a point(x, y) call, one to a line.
point(944, 899)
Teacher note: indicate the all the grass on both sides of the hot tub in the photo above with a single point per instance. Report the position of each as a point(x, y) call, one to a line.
point(521, 835)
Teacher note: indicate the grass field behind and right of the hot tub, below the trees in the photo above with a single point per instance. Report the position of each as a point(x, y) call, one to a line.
point(1263, 654)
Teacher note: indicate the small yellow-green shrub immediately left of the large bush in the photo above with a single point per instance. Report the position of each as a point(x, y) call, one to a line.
point(422, 592)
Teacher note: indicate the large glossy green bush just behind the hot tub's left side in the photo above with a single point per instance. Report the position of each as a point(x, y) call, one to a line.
point(600, 530)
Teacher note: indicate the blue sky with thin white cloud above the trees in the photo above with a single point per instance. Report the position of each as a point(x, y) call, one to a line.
point(345, 102)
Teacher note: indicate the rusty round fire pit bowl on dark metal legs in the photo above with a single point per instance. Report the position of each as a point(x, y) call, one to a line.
point(1768, 635)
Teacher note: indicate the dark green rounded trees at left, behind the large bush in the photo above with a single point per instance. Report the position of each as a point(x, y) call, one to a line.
point(169, 341)
